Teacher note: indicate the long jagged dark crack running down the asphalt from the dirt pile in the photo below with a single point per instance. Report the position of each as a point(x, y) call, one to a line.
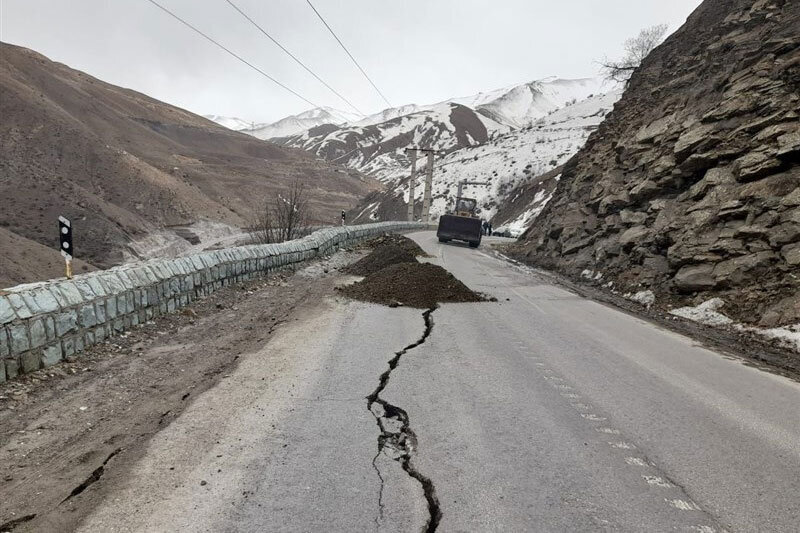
point(397, 440)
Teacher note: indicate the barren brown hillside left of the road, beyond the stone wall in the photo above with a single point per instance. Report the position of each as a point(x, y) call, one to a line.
point(121, 164)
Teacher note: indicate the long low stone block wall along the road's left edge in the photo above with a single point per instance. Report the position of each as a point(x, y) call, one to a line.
point(41, 323)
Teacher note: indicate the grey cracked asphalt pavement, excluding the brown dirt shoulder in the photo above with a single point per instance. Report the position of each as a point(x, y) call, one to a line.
point(543, 411)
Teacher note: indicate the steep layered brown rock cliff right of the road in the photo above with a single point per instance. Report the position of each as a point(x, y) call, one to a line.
point(691, 186)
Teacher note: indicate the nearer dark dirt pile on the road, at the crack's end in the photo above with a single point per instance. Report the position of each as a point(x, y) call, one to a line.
point(421, 285)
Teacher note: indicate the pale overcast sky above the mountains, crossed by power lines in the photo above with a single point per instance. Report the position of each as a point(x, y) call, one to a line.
point(416, 51)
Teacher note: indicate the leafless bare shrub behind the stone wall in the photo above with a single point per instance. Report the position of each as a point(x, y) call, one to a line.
point(283, 218)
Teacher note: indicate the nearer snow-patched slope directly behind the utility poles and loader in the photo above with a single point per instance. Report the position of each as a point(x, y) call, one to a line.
point(518, 165)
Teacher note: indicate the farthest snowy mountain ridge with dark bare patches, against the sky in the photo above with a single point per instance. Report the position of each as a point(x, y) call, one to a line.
point(375, 144)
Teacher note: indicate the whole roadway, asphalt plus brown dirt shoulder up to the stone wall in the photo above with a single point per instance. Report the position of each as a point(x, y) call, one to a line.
point(283, 406)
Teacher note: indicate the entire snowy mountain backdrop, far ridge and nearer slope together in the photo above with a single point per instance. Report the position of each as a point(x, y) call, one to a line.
point(510, 137)
